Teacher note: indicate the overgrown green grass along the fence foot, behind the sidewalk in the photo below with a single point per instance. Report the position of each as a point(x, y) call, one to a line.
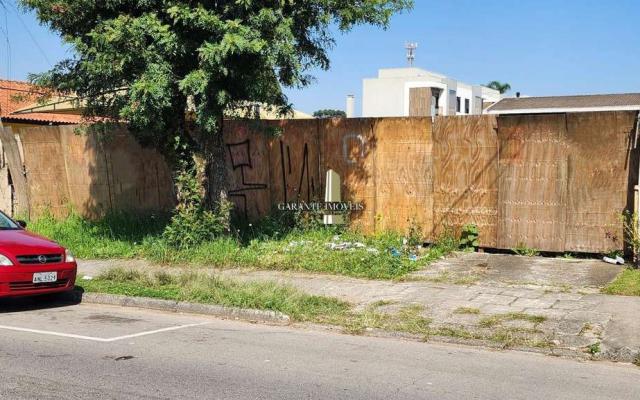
point(264, 246)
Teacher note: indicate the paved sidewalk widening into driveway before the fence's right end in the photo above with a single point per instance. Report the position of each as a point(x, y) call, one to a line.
point(556, 301)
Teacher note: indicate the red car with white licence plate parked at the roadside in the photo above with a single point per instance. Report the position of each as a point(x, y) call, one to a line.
point(31, 264)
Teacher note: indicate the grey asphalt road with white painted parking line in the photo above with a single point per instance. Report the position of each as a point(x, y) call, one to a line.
point(101, 352)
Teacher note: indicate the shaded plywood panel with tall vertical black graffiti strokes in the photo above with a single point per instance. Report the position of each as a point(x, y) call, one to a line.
point(295, 162)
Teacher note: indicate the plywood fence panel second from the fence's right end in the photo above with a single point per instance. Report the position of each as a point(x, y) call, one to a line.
point(532, 181)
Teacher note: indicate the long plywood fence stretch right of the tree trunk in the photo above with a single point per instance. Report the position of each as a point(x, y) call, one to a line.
point(555, 182)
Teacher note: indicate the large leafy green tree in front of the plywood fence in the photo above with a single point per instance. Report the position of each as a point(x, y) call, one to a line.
point(172, 69)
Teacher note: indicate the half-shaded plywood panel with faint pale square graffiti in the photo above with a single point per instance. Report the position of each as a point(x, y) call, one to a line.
point(348, 146)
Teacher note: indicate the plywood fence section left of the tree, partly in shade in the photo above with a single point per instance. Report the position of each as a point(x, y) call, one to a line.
point(93, 175)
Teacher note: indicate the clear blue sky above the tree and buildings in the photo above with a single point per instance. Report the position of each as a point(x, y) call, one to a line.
point(541, 47)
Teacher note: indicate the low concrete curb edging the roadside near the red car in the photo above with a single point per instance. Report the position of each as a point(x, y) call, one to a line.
point(245, 314)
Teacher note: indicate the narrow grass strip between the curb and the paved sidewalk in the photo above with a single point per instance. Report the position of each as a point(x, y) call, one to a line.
point(301, 307)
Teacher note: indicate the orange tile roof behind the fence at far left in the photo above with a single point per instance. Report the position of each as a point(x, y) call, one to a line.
point(15, 95)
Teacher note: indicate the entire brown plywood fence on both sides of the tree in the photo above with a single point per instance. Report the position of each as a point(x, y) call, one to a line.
point(556, 182)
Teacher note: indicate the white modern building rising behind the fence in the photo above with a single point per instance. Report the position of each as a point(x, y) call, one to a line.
point(402, 92)
